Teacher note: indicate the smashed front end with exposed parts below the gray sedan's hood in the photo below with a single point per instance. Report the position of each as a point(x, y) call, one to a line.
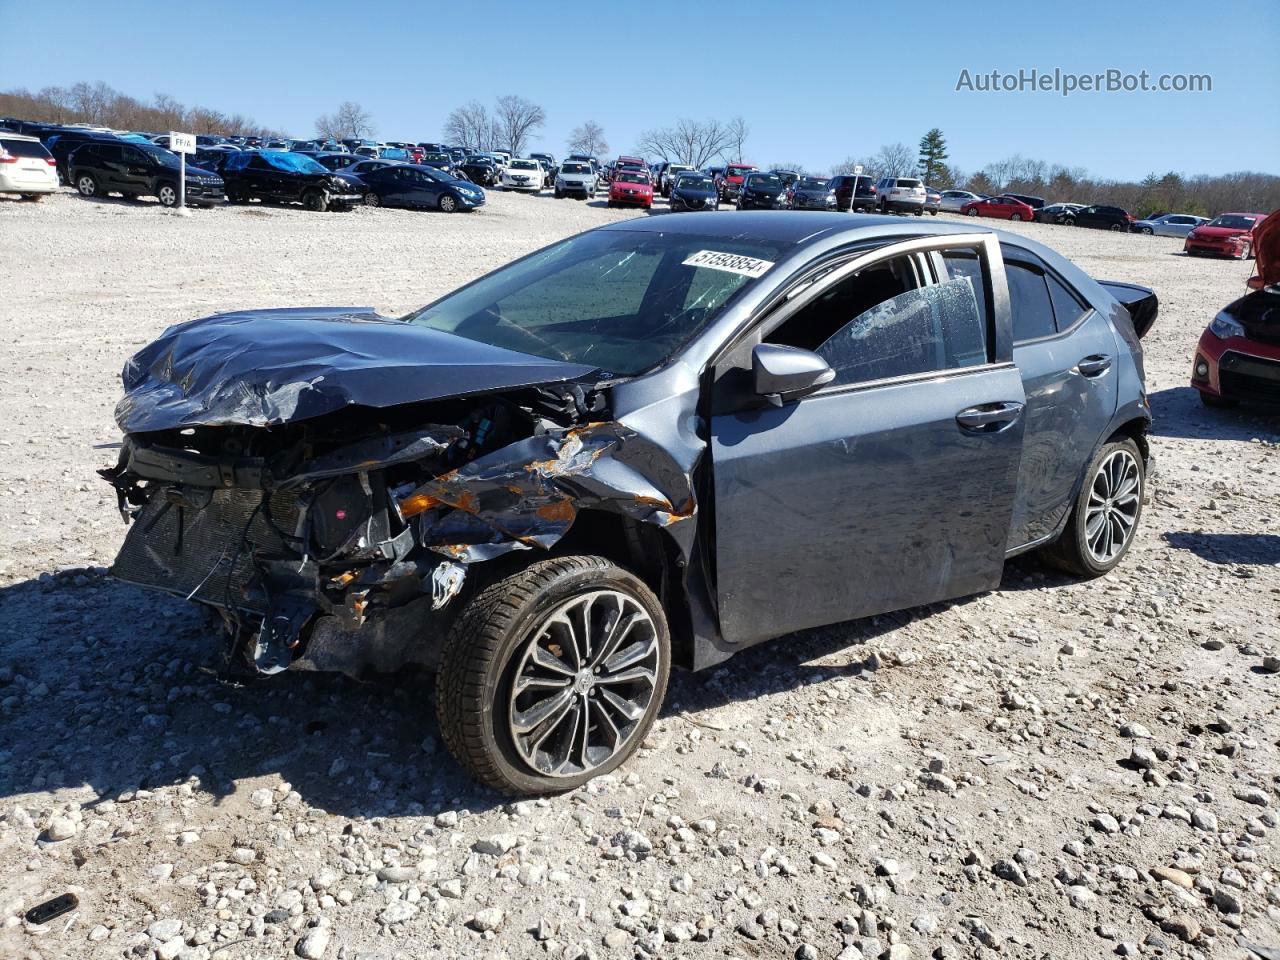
point(331, 554)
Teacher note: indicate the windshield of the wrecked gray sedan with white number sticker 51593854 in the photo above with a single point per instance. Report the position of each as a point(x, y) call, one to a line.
point(621, 301)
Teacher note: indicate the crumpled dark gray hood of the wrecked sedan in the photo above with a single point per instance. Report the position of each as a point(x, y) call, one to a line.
point(273, 367)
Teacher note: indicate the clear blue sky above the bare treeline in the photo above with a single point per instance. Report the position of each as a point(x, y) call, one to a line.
point(816, 84)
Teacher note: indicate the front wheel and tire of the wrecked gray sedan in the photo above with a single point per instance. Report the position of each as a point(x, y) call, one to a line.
point(554, 676)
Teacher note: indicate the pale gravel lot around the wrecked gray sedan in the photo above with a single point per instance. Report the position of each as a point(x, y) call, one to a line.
point(1057, 770)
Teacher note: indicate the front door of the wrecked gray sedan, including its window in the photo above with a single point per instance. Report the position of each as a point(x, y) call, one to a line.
point(893, 486)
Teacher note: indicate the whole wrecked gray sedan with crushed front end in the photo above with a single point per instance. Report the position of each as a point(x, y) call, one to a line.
point(652, 445)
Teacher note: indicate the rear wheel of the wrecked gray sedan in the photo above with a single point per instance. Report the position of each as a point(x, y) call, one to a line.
point(1105, 518)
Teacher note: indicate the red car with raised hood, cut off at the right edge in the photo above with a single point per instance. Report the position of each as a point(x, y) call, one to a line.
point(1238, 356)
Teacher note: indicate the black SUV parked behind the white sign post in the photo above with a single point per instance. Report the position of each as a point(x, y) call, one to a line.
point(99, 168)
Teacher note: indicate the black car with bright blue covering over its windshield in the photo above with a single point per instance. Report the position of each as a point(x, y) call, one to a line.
point(291, 179)
